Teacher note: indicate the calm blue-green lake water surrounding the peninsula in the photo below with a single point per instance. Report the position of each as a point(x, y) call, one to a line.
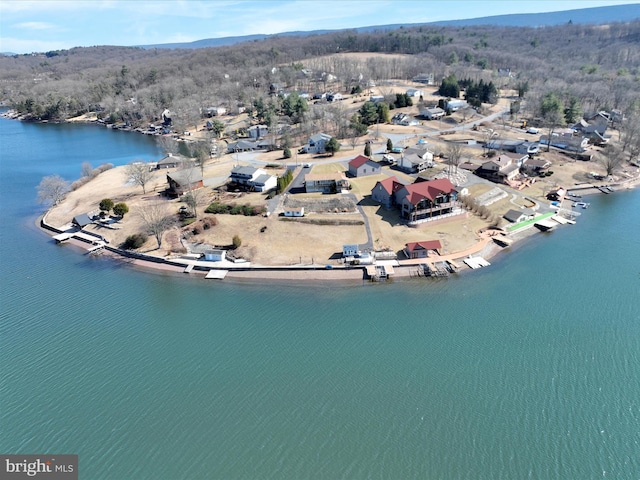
point(527, 369)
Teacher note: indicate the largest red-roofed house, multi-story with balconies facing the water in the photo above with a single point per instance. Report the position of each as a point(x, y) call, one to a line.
point(425, 200)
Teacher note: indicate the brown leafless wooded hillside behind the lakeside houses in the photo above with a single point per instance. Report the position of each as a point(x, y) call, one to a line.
point(596, 65)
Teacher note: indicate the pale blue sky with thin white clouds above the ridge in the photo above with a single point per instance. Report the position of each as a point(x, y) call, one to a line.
point(41, 25)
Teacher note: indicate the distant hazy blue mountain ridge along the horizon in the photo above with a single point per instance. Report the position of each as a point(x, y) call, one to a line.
point(594, 15)
